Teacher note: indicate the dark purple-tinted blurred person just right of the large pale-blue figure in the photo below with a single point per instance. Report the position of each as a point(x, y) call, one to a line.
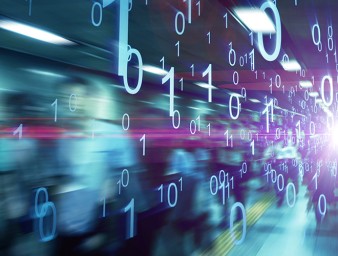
point(154, 123)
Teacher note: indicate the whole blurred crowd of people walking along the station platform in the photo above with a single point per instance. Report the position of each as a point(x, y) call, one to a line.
point(76, 183)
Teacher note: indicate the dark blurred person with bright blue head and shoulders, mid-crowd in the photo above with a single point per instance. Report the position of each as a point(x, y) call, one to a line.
point(187, 222)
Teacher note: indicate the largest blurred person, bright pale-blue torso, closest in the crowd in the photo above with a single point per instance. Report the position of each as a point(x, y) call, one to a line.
point(91, 154)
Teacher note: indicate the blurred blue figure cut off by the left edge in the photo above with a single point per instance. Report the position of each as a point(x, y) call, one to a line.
point(18, 160)
